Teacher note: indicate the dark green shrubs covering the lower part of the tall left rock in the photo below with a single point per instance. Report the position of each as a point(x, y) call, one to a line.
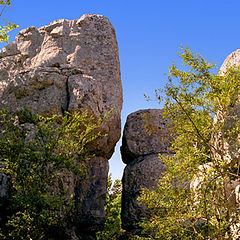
point(42, 156)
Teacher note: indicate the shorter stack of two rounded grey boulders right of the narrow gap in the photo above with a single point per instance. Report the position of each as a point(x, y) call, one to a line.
point(145, 136)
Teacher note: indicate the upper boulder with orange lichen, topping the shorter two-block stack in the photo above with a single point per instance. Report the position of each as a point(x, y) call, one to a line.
point(136, 139)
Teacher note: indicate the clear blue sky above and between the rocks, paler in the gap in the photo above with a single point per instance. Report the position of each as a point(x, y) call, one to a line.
point(149, 34)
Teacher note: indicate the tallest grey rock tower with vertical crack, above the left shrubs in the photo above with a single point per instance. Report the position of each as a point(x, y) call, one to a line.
point(69, 66)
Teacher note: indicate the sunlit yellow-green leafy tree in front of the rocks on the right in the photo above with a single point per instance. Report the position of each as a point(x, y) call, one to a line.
point(196, 198)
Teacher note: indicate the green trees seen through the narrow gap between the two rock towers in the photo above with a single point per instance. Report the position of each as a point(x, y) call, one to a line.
point(112, 228)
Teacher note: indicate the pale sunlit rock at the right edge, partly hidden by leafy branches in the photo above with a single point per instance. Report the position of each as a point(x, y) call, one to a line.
point(226, 145)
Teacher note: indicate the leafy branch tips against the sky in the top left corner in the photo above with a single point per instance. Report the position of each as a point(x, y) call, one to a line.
point(6, 26)
